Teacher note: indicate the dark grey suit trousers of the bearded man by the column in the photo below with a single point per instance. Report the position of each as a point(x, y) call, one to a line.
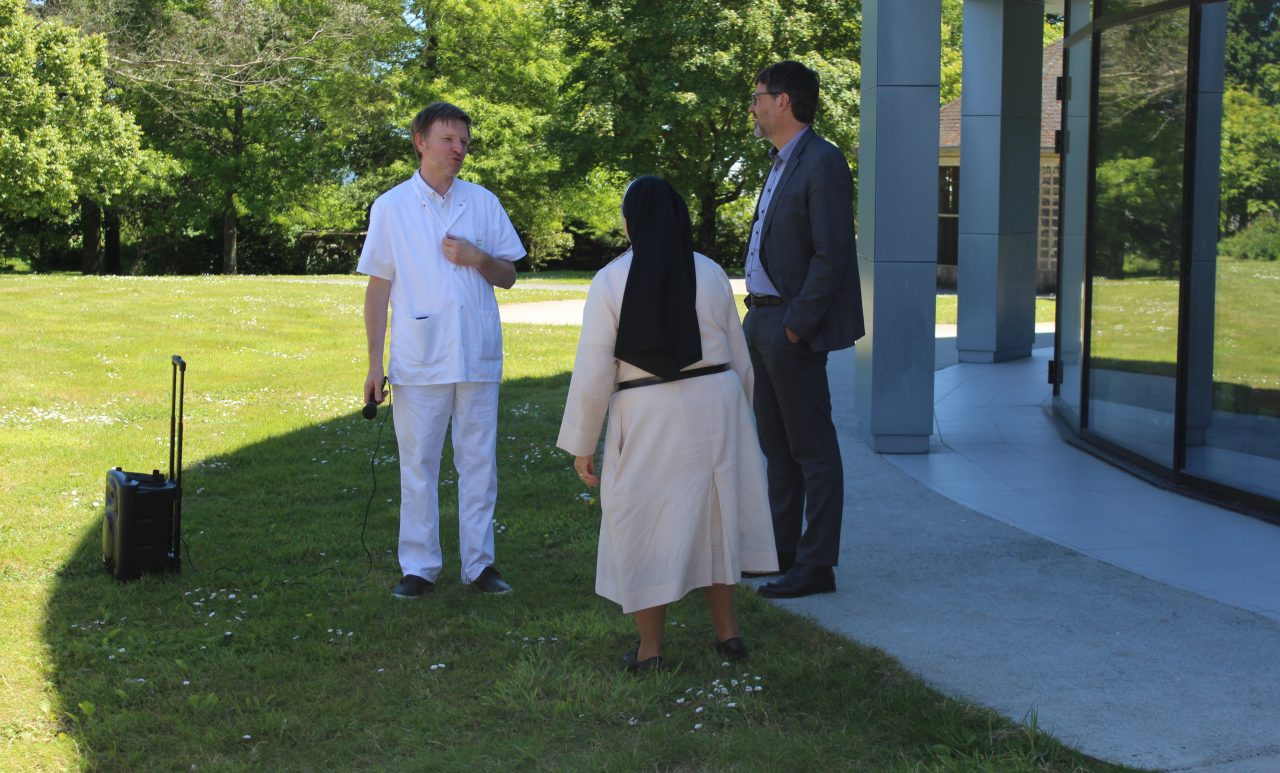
point(798, 437)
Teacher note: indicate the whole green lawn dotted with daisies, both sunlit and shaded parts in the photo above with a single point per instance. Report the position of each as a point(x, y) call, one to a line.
point(280, 648)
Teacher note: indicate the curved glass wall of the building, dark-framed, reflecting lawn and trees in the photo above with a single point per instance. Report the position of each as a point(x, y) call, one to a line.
point(1169, 310)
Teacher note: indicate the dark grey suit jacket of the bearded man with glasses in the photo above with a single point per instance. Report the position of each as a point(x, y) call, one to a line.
point(810, 250)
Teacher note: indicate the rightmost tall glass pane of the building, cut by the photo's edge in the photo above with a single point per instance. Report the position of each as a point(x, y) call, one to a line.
point(1233, 431)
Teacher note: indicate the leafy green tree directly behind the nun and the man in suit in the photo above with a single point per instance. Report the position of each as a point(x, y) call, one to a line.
point(675, 103)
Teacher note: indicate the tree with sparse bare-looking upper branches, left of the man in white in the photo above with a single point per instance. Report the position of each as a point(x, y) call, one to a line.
point(255, 99)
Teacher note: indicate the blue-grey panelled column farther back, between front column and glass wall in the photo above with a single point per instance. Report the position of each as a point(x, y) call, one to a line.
point(999, 179)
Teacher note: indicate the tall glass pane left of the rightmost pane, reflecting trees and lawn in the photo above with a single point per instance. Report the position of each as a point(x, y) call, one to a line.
point(1137, 234)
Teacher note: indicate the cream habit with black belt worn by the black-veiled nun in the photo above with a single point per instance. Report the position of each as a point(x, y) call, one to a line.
point(683, 487)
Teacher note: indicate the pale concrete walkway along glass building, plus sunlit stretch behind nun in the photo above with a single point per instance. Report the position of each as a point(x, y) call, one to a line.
point(1016, 571)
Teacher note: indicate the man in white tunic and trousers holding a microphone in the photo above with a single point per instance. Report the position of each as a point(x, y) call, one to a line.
point(437, 248)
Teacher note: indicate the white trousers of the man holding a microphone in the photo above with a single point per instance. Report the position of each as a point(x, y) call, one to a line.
point(422, 417)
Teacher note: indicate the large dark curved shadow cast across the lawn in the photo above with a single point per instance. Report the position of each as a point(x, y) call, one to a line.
point(280, 646)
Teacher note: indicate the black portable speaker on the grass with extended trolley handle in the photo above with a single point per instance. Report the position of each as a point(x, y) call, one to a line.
point(143, 524)
